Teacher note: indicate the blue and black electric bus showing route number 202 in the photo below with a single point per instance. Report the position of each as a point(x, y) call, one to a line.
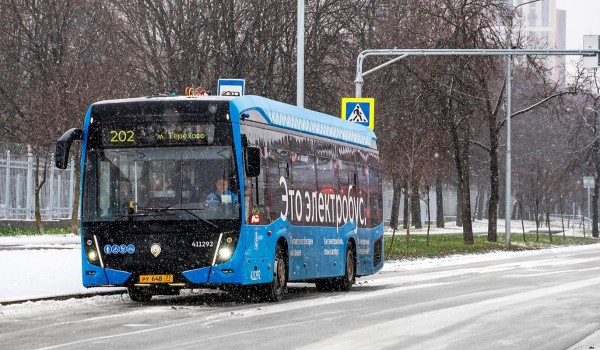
point(228, 192)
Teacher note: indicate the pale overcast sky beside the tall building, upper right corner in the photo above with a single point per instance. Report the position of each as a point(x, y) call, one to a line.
point(583, 18)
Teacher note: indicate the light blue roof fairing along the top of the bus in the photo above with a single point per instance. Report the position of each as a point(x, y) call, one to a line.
point(304, 120)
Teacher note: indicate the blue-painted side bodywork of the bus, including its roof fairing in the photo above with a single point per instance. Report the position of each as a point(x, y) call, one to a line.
point(313, 251)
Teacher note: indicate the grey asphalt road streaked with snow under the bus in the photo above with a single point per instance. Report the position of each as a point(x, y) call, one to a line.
point(532, 300)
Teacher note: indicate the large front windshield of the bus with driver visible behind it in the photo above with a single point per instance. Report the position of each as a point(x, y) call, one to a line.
point(169, 183)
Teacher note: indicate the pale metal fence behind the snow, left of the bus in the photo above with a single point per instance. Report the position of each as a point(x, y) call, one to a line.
point(17, 189)
